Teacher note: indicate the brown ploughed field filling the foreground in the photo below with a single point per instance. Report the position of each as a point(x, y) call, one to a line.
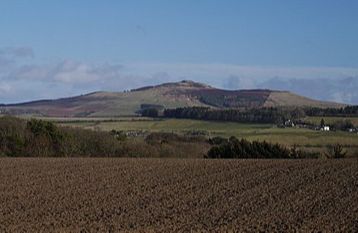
point(178, 195)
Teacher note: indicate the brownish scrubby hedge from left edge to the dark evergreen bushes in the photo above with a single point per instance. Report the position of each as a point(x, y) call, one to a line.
point(38, 138)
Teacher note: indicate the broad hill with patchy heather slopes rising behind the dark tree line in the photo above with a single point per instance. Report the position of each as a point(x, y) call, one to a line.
point(167, 95)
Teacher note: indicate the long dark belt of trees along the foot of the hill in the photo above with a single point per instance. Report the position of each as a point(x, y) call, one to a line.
point(275, 115)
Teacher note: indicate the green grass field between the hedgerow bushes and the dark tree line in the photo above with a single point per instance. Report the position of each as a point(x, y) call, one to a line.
point(288, 136)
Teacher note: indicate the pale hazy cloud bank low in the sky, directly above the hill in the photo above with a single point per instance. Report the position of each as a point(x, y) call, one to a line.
point(29, 81)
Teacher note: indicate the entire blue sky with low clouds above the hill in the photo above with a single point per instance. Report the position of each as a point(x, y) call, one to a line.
point(51, 49)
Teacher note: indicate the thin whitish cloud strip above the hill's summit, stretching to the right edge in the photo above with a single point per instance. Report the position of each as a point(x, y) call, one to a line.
point(225, 70)
